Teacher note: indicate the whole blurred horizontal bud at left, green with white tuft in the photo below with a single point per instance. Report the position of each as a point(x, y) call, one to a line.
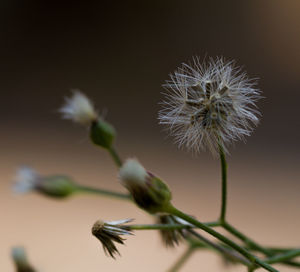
point(55, 186)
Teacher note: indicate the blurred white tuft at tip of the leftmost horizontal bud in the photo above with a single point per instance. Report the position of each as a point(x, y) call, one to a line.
point(26, 180)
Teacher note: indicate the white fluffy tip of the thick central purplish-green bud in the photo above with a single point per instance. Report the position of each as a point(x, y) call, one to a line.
point(132, 172)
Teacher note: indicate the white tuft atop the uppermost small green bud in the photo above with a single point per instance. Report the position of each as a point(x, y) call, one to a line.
point(79, 108)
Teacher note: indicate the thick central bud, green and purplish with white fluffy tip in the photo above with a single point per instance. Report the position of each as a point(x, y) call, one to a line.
point(148, 191)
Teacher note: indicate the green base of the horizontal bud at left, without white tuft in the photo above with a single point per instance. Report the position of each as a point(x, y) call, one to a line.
point(56, 186)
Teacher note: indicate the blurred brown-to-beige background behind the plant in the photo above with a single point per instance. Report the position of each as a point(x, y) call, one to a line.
point(120, 53)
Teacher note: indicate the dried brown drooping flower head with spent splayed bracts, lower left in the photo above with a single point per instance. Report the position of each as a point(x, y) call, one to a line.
point(110, 232)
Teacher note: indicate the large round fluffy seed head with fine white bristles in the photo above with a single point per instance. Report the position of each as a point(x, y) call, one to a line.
point(209, 104)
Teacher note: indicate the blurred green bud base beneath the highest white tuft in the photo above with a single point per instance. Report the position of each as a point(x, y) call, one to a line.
point(102, 133)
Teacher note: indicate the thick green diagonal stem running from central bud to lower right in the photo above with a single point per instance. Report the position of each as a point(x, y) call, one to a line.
point(253, 259)
